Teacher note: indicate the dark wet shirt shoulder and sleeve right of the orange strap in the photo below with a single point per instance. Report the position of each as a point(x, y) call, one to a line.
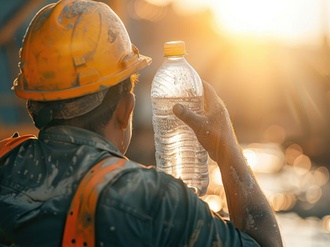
point(143, 207)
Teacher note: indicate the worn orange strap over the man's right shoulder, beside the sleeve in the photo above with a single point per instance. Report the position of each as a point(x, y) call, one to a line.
point(80, 223)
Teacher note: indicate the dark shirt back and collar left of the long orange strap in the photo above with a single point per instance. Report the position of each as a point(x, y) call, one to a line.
point(38, 179)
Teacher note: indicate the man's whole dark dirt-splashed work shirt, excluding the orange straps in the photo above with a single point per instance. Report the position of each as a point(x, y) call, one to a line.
point(140, 207)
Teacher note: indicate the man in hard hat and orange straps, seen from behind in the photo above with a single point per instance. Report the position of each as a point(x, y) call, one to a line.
point(73, 186)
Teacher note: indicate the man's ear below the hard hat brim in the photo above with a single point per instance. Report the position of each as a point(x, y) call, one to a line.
point(124, 109)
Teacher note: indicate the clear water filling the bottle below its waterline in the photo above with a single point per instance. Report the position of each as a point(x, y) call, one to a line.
point(178, 151)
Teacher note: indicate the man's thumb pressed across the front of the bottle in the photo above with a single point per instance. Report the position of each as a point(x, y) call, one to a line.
point(192, 119)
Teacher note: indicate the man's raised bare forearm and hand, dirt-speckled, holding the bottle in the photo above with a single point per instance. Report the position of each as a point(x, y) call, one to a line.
point(248, 208)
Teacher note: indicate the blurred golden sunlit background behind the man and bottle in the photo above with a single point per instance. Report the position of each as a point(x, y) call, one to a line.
point(270, 63)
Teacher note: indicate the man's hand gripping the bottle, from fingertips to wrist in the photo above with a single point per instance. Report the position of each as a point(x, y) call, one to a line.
point(214, 129)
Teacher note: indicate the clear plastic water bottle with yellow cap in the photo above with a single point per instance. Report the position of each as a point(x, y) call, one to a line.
point(178, 151)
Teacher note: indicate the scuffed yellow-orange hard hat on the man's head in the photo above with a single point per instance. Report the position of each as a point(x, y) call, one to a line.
point(73, 48)
